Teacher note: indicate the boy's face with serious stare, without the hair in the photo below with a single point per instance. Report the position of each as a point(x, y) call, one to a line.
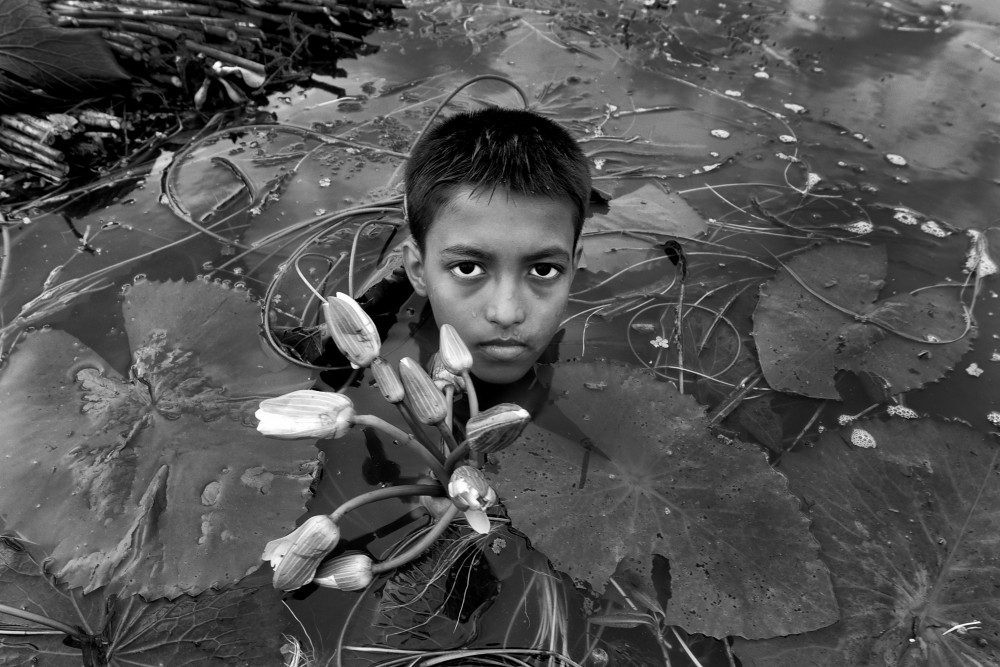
point(498, 267)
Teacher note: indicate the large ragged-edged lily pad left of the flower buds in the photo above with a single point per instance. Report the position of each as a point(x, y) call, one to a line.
point(153, 482)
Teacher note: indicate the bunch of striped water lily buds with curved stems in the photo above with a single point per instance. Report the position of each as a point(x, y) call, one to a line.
point(304, 555)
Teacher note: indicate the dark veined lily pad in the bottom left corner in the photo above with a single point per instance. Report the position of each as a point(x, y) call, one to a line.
point(238, 626)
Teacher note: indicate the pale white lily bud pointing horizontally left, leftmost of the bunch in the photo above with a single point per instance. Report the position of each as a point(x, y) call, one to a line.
point(305, 413)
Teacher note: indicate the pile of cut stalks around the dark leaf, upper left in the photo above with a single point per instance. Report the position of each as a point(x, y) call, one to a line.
point(188, 50)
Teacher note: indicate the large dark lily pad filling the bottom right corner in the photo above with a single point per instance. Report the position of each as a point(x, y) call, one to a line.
point(909, 529)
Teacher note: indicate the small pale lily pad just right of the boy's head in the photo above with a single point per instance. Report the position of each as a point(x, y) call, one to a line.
point(614, 241)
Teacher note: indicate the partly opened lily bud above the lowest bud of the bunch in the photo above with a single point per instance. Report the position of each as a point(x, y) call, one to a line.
point(296, 556)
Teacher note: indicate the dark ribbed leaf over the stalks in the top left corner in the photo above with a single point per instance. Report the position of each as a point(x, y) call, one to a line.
point(43, 65)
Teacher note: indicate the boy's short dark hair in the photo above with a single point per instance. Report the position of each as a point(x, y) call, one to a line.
point(492, 148)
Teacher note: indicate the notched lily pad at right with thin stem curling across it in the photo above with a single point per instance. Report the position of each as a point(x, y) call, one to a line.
point(821, 313)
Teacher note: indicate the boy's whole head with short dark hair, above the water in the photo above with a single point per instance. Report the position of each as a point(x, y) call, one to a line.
point(495, 201)
